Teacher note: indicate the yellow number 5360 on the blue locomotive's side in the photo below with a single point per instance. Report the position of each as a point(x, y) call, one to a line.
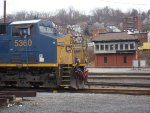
point(23, 42)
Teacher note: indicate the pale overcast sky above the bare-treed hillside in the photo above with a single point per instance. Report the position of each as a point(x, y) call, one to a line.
point(82, 5)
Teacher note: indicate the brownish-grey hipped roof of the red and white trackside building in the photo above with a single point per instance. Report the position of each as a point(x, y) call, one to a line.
point(123, 36)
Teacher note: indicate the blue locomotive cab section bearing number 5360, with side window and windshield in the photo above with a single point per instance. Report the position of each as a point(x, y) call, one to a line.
point(34, 42)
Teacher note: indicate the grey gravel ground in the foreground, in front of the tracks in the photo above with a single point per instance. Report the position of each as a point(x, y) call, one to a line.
point(81, 103)
